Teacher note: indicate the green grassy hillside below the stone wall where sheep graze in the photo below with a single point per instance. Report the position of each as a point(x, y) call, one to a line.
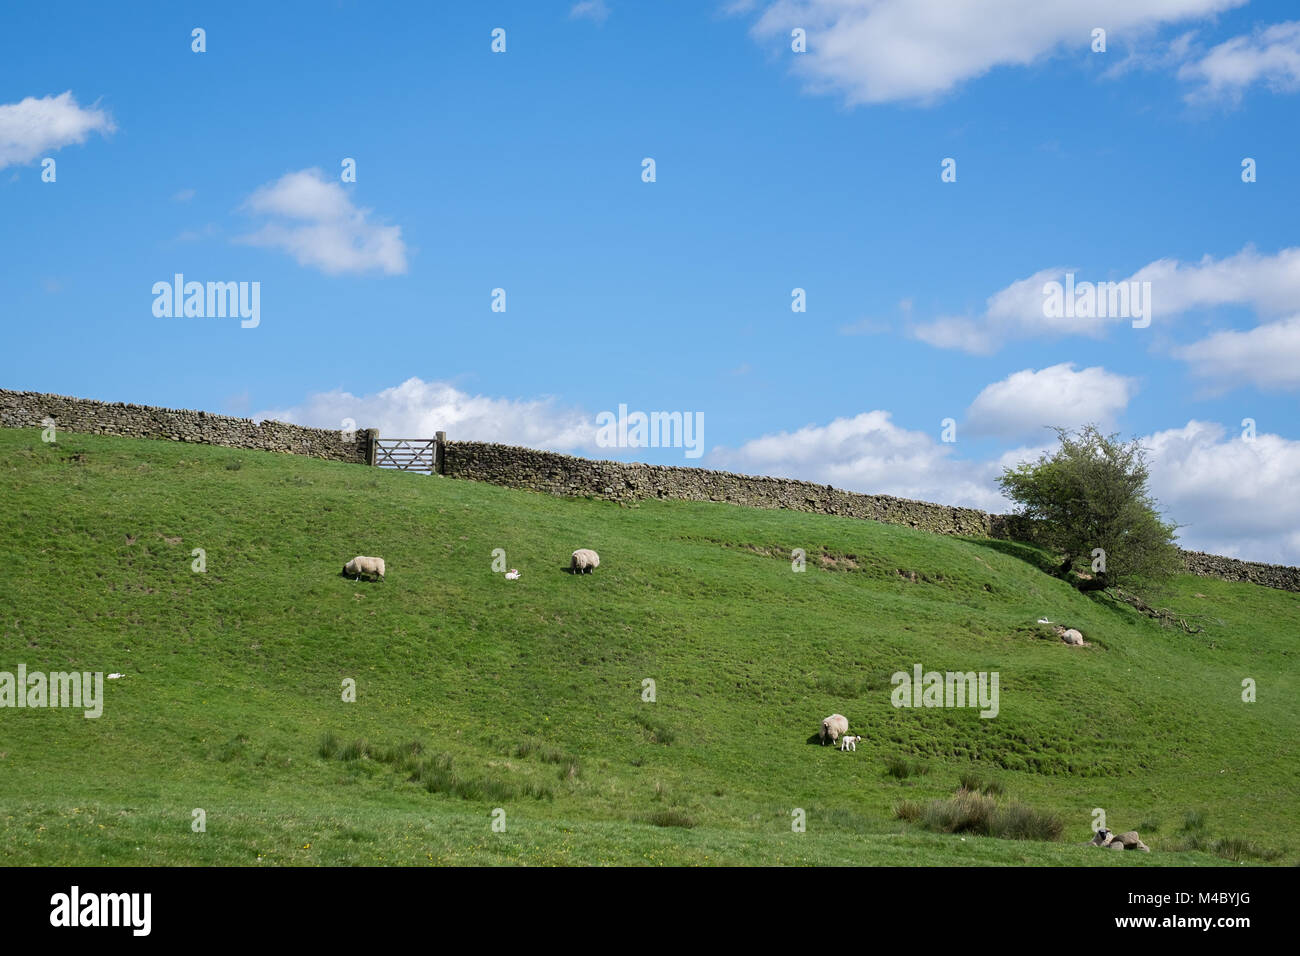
point(475, 693)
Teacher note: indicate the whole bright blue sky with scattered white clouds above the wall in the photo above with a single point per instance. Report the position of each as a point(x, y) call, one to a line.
point(774, 171)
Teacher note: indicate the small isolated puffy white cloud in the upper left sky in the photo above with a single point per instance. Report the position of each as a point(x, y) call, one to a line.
point(323, 230)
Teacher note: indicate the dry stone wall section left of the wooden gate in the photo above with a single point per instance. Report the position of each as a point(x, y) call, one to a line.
point(31, 409)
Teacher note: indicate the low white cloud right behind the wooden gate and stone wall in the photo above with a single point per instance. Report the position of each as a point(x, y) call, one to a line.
point(418, 409)
